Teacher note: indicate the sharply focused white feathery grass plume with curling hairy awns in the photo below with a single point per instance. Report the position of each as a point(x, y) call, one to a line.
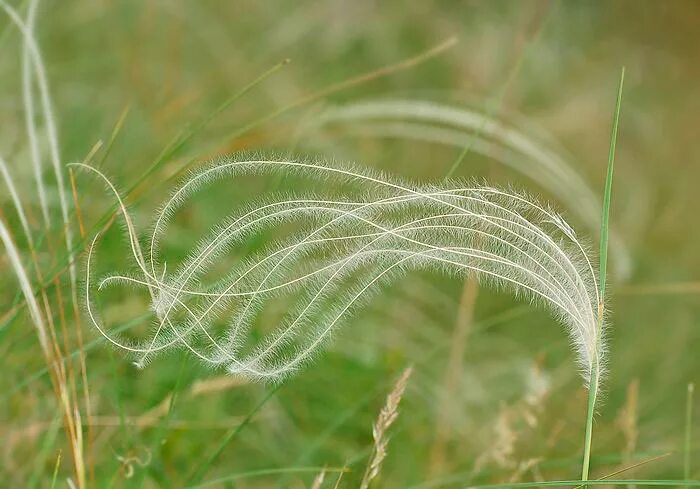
point(339, 247)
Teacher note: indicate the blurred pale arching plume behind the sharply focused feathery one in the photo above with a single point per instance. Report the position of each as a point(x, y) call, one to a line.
point(514, 143)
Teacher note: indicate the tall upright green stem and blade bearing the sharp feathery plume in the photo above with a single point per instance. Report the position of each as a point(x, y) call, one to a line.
point(604, 227)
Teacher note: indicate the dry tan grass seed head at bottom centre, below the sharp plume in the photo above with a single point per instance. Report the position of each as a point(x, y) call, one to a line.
point(386, 418)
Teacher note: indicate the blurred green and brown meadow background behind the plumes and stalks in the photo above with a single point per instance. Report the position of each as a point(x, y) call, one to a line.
point(519, 400)
